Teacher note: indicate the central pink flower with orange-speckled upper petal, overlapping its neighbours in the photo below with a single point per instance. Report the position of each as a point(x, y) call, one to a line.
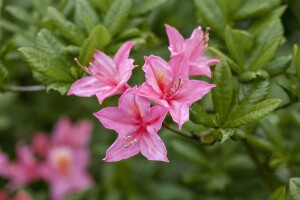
point(167, 84)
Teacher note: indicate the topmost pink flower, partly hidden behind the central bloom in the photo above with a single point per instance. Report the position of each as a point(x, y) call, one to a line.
point(193, 48)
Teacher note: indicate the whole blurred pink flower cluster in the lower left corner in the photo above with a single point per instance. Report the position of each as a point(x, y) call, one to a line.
point(61, 160)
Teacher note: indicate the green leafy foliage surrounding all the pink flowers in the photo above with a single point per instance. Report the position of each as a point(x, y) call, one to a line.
point(40, 38)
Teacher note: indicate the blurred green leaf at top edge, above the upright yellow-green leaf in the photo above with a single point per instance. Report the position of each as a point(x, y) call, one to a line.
point(85, 16)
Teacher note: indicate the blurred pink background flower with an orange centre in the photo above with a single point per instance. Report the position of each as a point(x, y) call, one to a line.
point(66, 171)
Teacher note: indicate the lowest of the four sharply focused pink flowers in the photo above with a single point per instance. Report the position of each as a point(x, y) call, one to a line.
point(137, 124)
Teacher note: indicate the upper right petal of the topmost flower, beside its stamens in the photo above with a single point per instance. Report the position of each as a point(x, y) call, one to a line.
point(195, 45)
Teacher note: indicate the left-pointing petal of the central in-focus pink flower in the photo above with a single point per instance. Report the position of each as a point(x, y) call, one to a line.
point(147, 91)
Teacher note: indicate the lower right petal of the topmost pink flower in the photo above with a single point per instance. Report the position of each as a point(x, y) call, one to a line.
point(201, 67)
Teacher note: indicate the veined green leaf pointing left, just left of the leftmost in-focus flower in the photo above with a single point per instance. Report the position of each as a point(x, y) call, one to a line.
point(42, 63)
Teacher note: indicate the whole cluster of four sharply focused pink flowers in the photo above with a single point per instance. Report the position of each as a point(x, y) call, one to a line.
point(167, 84)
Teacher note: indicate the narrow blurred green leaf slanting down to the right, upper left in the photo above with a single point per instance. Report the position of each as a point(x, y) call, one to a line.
point(66, 28)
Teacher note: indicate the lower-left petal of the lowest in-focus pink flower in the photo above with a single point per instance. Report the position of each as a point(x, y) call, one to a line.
point(117, 150)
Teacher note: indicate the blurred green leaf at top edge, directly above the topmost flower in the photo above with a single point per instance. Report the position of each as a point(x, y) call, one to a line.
point(210, 13)
